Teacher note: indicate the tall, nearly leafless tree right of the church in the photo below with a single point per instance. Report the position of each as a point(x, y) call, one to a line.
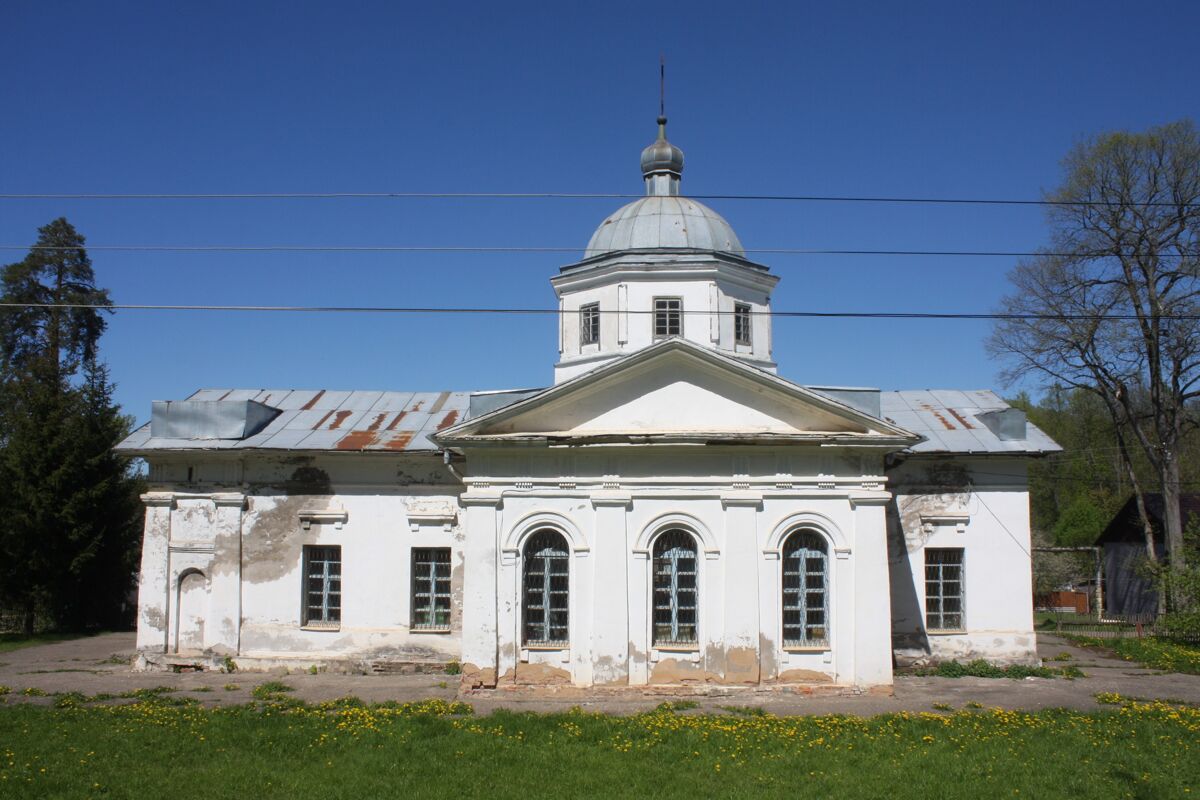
point(1111, 306)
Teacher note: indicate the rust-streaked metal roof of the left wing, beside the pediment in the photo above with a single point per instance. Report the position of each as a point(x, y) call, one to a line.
point(328, 420)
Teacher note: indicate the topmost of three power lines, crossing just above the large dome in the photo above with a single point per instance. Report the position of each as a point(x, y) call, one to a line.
point(553, 196)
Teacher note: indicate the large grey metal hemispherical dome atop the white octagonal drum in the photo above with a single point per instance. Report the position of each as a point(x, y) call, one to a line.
point(664, 221)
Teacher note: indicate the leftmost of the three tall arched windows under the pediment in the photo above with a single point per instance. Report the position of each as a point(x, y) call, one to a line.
point(547, 581)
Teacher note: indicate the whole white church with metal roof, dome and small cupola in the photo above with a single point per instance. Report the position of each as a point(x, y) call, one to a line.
point(670, 512)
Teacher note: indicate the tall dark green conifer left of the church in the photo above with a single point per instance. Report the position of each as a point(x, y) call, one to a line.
point(69, 513)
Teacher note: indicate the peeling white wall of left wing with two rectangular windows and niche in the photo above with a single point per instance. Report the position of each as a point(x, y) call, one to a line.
point(248, 542)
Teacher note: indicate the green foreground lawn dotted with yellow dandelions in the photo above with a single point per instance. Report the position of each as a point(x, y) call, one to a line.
point(163, 748)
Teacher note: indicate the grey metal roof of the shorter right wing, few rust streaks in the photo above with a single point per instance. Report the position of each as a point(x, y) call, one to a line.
point(949, 419)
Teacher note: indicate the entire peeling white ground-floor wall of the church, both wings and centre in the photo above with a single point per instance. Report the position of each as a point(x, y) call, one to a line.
point(245, 537)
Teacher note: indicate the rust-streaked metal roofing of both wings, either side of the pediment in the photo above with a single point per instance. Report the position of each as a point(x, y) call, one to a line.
point(403, 422)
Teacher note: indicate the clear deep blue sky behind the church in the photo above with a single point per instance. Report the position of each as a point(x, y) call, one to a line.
point(927, 100)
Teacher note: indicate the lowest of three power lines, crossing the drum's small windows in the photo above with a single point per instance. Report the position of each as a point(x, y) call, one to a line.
point(431, 310)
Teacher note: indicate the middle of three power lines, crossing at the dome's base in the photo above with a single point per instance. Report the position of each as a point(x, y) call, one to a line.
point(473, 249)
